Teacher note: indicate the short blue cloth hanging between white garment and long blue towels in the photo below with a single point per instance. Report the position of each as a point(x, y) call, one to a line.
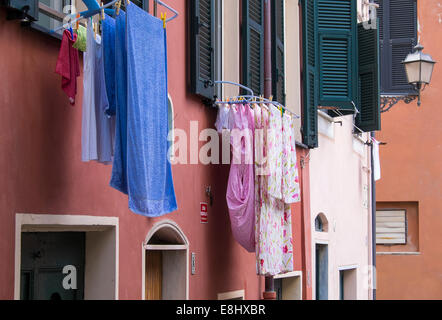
point(108, 25)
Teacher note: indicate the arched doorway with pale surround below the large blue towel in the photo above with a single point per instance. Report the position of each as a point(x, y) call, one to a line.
point(165, 271)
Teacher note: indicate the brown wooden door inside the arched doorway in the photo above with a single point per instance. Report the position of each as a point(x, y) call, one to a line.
point(154, 275)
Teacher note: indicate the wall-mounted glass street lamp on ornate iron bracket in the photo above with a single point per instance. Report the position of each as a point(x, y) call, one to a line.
point(419, 68)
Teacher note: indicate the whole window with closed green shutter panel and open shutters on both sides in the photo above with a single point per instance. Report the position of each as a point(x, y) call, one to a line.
point(340, 66)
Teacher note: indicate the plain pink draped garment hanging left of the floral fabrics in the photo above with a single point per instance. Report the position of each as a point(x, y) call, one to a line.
point(240, 189)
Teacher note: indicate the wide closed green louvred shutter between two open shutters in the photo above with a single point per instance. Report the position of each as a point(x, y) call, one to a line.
point(337, 61)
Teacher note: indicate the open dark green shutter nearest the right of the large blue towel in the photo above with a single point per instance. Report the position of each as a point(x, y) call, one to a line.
point(202, 42)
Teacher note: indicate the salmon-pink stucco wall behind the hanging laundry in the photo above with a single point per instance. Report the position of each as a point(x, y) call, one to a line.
point(41, 169)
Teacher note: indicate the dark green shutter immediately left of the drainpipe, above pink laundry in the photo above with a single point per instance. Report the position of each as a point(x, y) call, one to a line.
point(253, 44)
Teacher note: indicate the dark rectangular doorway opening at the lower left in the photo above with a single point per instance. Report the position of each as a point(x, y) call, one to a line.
point(44, 257)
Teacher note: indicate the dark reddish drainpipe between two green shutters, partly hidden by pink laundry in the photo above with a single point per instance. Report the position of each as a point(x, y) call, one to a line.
point(269, 293)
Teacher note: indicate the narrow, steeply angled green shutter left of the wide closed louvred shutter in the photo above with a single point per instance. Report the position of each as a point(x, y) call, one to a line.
point(310, 75)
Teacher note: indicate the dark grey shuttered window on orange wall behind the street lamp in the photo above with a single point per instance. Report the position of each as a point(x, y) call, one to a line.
point(398, 35)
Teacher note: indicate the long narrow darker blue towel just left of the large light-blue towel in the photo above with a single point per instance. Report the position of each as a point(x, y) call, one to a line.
point(119, 168)
